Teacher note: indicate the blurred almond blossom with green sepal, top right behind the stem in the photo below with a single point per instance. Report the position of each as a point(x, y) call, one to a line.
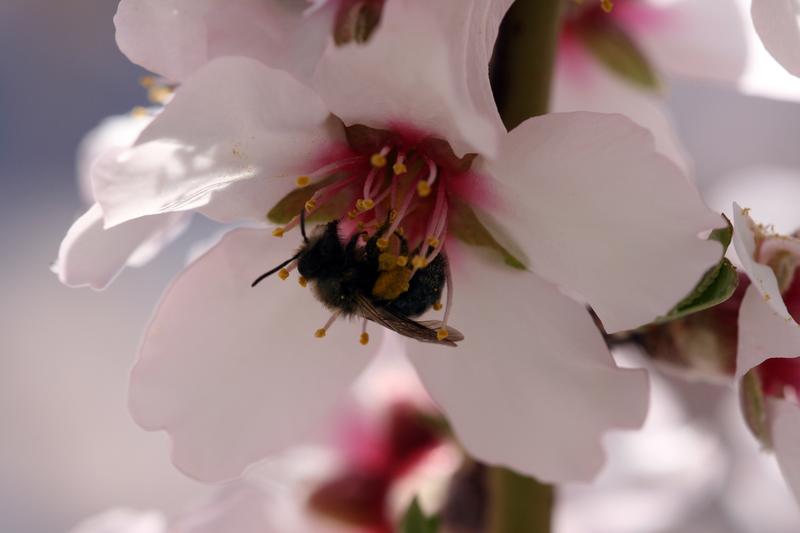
point(616, 56)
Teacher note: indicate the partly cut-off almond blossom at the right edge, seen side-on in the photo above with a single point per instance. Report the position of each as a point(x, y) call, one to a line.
point(768, 351)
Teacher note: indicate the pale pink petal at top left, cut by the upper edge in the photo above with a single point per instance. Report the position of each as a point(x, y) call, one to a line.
point(176, 37)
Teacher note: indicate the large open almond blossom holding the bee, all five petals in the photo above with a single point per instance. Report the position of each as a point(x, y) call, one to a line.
point(401, 147)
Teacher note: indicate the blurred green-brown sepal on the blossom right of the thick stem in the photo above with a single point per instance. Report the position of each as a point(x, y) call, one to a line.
point(614, 48)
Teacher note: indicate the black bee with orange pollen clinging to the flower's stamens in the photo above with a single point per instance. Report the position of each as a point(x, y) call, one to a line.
point(354, 280)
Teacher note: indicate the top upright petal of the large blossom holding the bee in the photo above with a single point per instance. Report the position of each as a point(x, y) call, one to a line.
point(409, 74)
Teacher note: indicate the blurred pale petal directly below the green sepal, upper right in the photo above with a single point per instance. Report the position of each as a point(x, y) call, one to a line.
point(589, 86)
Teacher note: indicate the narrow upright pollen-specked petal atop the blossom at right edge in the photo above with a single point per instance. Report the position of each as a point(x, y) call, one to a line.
point(762, 276)
